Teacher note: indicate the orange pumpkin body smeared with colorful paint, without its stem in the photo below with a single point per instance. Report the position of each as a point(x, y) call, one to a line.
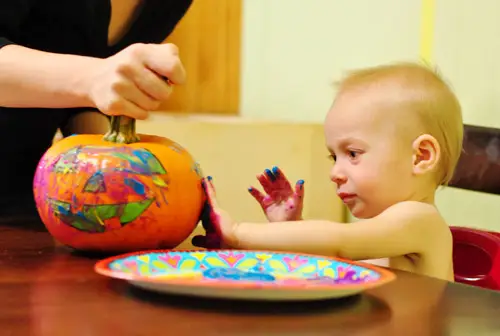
point(96, 195)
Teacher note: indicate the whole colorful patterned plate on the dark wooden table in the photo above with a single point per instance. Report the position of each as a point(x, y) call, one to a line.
point(256, 275)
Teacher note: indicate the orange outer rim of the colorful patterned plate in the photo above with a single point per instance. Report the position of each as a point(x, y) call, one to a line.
point(102, 267)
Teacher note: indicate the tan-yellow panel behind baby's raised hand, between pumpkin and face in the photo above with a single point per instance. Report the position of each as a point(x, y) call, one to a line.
point(234, 150)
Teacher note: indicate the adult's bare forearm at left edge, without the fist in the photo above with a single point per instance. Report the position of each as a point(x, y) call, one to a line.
point(31, 78)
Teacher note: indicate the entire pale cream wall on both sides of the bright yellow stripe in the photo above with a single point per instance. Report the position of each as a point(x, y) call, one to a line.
point(294, 49)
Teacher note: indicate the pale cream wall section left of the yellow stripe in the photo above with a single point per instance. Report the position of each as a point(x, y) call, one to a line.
point(293, 50)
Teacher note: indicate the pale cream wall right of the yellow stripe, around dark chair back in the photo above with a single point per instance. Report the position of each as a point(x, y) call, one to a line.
point(467, 50)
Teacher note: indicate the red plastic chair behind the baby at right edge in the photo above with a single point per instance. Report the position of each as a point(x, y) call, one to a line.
point(476, 257)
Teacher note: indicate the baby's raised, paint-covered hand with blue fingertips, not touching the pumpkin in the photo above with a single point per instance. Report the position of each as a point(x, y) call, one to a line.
point(281, 203)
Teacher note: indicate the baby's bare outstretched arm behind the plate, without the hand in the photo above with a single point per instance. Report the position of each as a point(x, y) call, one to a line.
point(402, 229)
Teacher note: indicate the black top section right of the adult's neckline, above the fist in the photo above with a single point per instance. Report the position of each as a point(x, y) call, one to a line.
point(159, 20)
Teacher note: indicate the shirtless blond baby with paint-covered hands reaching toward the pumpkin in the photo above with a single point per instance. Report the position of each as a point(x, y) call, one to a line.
point(395, 135)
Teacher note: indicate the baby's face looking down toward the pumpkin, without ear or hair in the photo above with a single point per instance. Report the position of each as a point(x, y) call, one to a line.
point(373, 157)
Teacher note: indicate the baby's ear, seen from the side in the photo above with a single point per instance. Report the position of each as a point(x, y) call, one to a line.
point(426, 154)
